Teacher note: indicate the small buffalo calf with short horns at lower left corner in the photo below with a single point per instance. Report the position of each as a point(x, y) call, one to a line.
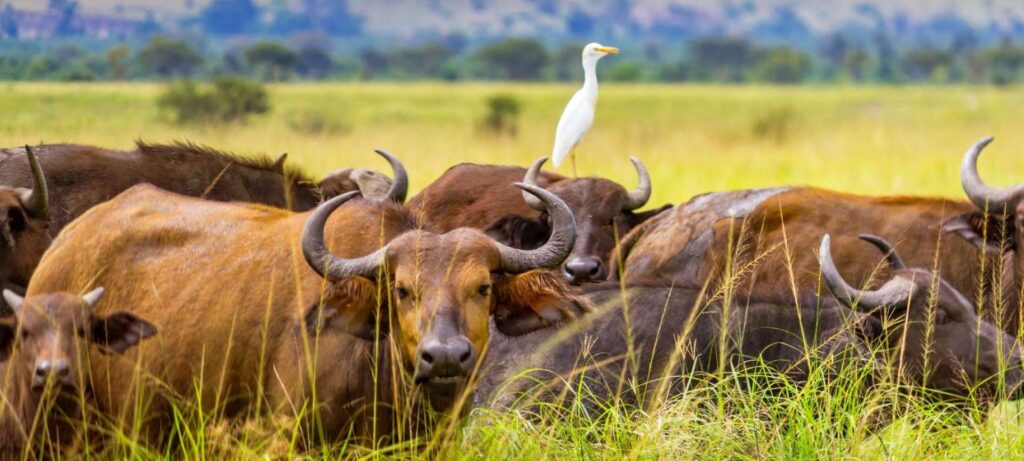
point(45, 376)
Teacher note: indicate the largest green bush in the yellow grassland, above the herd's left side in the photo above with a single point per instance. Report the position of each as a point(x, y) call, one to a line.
point(228, 100)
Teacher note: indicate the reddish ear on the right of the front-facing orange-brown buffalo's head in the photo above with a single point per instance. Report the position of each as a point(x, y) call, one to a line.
point(533, 301)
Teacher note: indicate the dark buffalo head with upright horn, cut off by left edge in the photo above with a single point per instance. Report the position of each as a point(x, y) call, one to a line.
point(24, 228)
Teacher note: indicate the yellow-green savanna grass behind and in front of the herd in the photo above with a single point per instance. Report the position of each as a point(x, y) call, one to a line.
point(873, 141)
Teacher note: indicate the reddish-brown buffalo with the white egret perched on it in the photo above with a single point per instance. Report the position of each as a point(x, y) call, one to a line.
point(480, 196)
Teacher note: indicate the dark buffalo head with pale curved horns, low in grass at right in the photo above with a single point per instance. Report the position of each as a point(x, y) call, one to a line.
point(940, 341)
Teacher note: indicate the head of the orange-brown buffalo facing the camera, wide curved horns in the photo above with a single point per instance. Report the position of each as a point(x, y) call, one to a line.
point(440, 291)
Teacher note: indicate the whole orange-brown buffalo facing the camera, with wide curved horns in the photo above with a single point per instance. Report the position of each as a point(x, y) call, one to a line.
point(238, 308)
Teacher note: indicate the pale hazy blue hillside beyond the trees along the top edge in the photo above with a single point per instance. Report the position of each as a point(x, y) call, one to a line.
point(799, 23)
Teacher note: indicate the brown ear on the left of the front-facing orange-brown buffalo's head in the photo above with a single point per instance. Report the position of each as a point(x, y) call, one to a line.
point(352, 307)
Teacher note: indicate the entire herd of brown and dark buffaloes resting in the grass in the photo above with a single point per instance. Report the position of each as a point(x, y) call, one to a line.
point(140, 283)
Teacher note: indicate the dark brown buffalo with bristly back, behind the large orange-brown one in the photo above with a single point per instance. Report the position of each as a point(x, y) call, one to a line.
point(82, 177)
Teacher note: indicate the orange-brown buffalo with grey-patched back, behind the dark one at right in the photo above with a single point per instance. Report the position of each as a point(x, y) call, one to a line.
point(762, 241)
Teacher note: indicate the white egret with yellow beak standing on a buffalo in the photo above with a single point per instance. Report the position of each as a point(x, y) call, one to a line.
point(579, 114)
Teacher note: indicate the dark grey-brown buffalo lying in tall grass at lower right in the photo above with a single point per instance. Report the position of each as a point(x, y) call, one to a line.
point(676, 332)
